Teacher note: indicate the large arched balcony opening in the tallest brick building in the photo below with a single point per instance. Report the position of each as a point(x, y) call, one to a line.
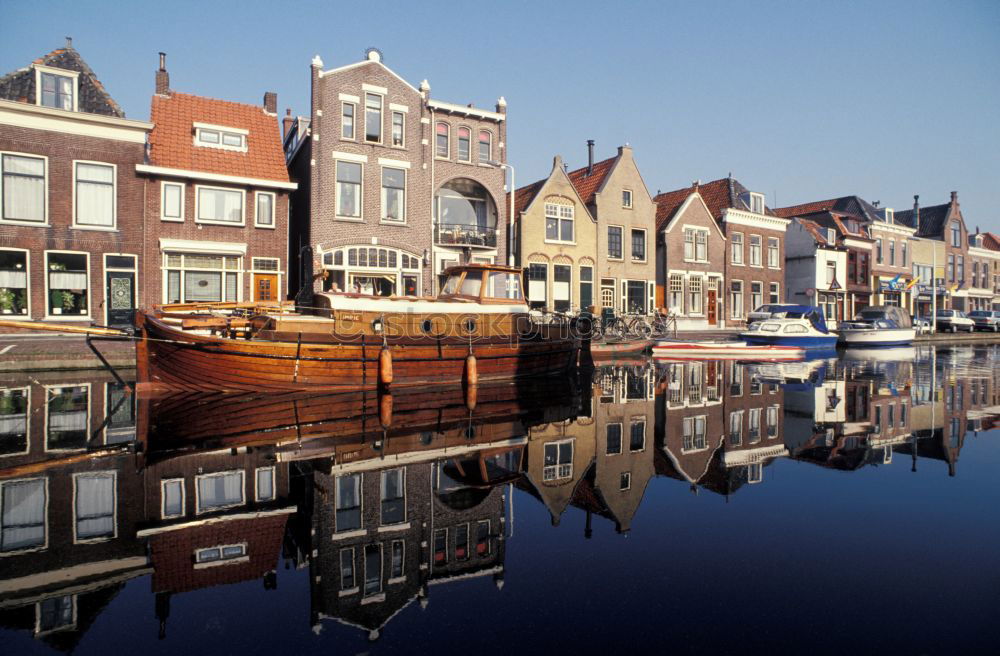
point(465, 214)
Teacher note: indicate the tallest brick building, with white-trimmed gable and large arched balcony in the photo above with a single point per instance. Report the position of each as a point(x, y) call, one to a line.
point(400, 185)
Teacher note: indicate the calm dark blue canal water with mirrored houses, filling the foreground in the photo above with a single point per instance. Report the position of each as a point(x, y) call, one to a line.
point(831, 506)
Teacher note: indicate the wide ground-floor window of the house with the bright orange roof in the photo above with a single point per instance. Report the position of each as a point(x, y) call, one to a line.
point(193, 278)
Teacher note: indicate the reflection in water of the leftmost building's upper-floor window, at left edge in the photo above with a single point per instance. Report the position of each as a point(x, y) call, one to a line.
point(23, 508)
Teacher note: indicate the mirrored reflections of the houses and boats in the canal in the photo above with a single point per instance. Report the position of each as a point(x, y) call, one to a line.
point(384, 498)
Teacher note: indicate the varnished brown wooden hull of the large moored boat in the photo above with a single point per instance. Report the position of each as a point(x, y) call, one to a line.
point(170, 358)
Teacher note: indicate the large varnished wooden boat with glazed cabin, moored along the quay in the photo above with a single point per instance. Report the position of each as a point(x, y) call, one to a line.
point(478, 329)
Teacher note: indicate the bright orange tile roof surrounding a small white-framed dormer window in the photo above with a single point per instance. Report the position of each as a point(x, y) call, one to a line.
point(172, 139)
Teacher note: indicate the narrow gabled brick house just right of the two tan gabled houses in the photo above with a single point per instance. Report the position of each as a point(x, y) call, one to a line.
point(690, 259)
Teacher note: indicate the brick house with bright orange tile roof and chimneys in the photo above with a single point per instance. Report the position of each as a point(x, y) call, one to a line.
point(216, 191)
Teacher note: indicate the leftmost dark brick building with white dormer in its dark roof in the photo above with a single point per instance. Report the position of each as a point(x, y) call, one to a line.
point(71, 230)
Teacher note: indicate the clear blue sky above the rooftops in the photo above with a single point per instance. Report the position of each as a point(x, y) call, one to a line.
point(799, 100)
